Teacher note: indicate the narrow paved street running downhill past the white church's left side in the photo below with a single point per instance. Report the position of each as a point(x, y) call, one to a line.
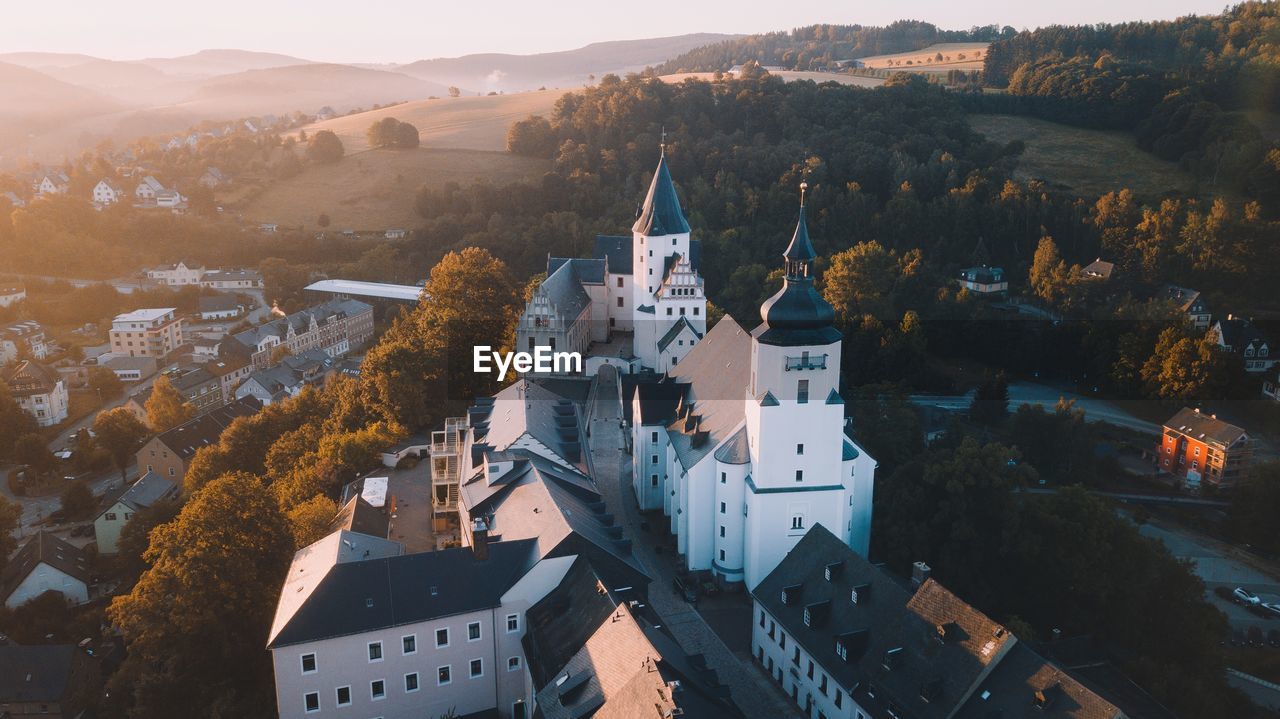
point(751, 688)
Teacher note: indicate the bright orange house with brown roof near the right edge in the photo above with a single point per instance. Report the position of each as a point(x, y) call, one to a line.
point(1203, 450)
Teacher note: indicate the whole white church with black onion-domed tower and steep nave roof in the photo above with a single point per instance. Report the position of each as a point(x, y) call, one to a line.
point(742, 445)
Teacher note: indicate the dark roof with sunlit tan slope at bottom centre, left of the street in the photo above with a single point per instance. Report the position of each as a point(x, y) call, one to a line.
point(591, 656)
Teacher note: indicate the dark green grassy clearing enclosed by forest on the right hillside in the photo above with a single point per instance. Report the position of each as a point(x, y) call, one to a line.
point(1086, 162)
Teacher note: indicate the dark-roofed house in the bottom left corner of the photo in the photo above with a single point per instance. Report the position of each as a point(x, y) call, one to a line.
point(48, 681)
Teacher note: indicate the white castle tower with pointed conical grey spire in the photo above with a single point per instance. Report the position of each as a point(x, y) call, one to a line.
point(666, 285)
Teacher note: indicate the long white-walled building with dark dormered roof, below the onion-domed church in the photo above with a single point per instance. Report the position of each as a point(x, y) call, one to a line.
point(845, 640)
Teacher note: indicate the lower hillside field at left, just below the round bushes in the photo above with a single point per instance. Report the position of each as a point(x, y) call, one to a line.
point(374, 190)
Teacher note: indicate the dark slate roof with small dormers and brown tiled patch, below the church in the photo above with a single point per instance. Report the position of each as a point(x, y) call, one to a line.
point(899, 647)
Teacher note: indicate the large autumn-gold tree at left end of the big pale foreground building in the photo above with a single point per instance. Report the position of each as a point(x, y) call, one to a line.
point(186, 649)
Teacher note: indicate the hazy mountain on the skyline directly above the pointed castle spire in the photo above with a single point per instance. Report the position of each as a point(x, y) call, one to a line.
point(570, 68)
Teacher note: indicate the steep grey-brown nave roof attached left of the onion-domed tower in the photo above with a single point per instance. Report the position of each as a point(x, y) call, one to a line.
point(717, 370)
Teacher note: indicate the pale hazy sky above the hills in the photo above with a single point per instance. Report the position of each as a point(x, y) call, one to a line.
point(400, 31)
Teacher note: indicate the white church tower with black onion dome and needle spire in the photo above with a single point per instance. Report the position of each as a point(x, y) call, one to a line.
point(794, 418)
